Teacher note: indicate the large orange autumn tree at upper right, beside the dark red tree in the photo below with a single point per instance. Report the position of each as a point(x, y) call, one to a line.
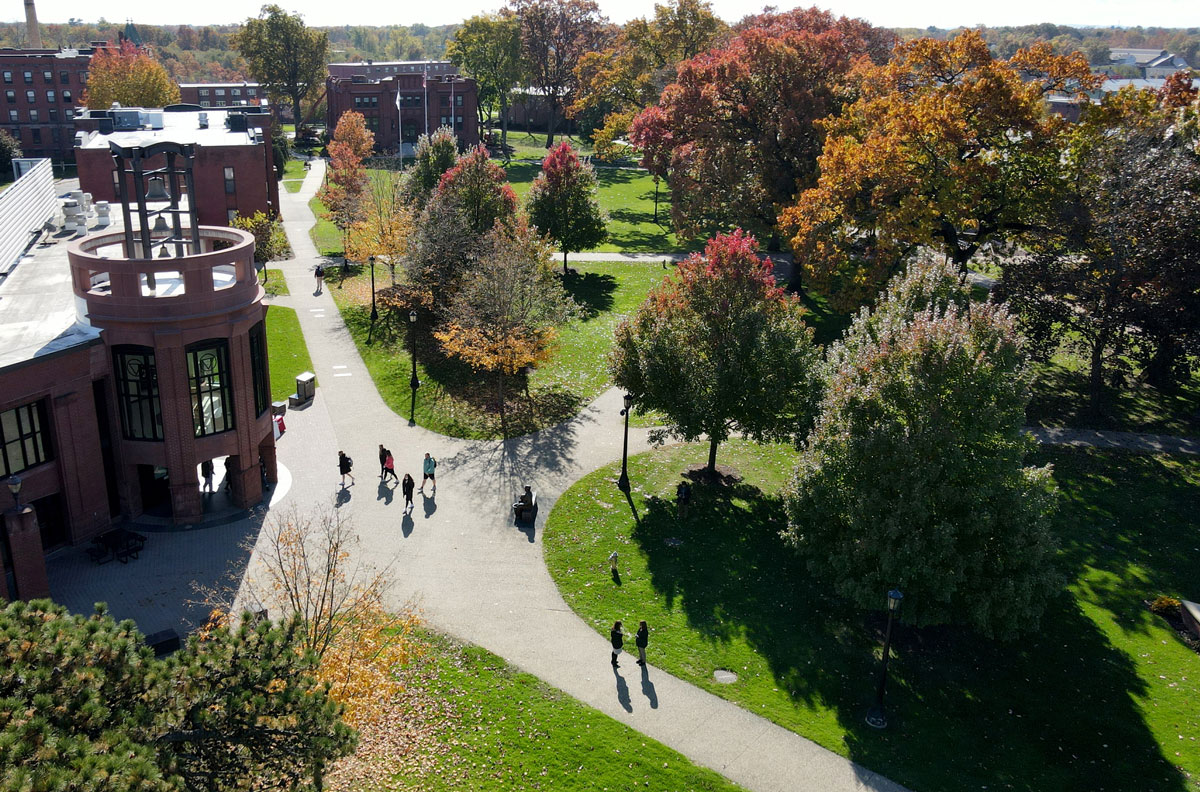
point(946, 147)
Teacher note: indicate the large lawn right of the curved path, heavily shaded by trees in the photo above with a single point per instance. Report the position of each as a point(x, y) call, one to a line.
point(1103, 698)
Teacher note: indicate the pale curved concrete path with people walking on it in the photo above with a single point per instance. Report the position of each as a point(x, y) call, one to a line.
point(476, 575)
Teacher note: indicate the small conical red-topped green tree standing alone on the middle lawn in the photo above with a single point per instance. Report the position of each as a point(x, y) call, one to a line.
point(562, 202)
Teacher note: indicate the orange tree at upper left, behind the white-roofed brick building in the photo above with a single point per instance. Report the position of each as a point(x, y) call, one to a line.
point(128, 75)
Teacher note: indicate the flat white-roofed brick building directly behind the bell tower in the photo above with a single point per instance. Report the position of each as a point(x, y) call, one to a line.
point(235, 169)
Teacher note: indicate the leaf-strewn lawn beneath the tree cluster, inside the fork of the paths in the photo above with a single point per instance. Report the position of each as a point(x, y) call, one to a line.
point(455, 400)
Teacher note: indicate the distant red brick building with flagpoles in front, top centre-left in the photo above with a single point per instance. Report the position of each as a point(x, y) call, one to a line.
point(404, 100)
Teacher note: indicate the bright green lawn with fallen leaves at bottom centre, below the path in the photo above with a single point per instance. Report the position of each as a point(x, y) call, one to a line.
point(511, 731)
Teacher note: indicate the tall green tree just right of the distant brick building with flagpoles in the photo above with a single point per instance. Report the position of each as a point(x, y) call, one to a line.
point(489, 47)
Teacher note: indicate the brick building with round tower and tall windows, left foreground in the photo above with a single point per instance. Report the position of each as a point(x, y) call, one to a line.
point(121, 373)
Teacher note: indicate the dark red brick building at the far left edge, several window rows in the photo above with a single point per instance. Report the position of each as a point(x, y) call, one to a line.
point(43, 89)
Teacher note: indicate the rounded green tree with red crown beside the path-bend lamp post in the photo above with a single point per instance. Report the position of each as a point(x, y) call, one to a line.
point(721, 350)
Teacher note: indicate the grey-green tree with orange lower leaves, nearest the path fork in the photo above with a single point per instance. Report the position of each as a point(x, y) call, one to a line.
point(506, 313)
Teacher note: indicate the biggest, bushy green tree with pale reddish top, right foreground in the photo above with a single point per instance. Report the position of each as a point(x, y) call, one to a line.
point(915, 476)
